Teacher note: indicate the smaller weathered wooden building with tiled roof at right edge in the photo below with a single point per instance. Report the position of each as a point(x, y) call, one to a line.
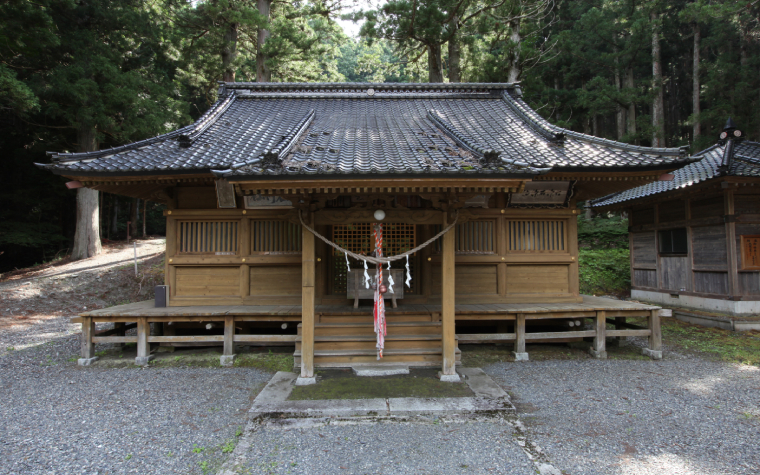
point(695, 235)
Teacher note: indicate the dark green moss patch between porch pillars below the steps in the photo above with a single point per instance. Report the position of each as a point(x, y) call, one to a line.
point(343, 384)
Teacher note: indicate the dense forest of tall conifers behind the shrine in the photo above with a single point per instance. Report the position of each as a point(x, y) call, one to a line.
point(80, 75)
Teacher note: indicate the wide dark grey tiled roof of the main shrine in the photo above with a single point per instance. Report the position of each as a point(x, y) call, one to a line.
point(274, 129)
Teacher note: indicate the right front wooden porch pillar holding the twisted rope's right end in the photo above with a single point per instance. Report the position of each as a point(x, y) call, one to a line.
point(448, 301)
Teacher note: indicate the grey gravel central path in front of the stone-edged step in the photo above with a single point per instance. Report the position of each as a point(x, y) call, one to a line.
point(387, 448)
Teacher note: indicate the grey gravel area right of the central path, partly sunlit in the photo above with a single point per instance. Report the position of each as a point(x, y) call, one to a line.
point(675, 416)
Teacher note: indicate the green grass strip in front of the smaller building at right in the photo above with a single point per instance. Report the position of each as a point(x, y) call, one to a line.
point(713, 343)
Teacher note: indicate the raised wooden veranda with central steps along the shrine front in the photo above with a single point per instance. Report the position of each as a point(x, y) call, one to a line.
point(343, 335)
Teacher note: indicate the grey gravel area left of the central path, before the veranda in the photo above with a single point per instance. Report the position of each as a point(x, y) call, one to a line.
point(58, 418)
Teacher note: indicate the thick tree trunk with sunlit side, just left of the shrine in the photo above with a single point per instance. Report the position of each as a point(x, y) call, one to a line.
point(87, 234)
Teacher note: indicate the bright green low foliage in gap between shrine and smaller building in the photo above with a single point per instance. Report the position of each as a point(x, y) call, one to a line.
point(604, 271)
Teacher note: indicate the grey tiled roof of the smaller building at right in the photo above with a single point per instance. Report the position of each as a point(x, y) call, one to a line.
point(745, 162)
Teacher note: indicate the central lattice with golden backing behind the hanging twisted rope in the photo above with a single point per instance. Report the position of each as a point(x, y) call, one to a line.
point(359, 238)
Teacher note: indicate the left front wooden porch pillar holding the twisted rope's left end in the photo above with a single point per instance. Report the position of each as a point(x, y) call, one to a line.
point(307, 304)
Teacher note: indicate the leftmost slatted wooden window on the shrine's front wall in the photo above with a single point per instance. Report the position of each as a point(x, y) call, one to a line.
point(208, 237)
